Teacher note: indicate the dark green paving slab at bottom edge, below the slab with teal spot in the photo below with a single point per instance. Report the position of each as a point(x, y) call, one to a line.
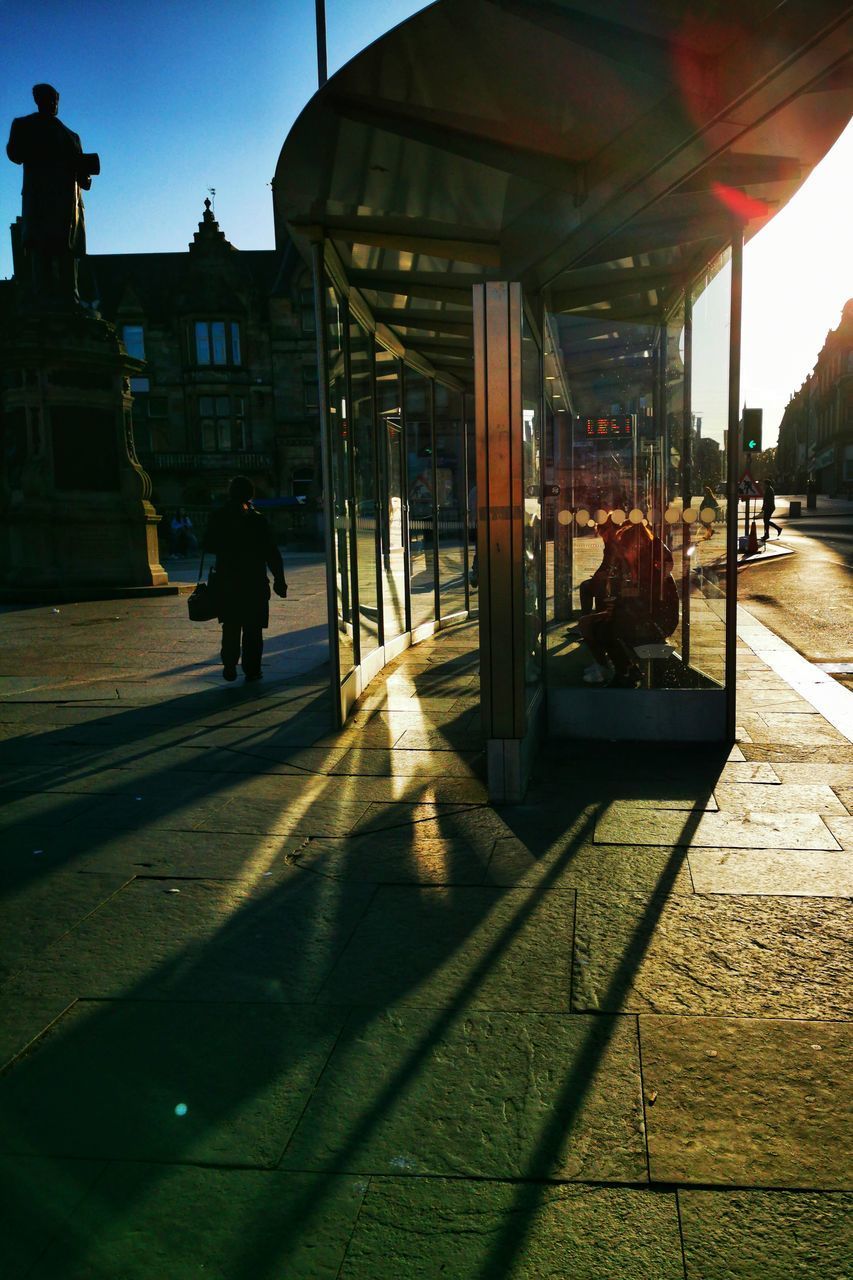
point(140, 1222)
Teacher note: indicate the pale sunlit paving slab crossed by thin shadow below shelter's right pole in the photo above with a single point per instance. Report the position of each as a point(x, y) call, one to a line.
point(627, 822)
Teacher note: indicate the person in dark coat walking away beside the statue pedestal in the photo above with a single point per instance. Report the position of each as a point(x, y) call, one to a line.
point(244, 546)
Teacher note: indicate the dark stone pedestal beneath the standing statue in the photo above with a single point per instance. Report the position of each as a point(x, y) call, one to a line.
point(75, 500)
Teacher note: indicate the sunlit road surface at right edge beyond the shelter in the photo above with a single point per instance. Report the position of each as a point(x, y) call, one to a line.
point(808, 598)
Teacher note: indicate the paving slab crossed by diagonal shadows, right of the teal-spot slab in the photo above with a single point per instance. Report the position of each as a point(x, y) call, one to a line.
point(487, 1096)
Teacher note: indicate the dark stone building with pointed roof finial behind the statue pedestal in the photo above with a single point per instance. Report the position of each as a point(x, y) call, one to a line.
point(231, 368)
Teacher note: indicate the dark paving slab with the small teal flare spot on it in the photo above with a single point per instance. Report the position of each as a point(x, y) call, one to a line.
point(107, 1078)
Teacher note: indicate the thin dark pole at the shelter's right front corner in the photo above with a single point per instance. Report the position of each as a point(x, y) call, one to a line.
point(732, 482)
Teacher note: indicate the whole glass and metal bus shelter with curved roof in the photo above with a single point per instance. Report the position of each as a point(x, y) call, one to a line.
point(504, 198)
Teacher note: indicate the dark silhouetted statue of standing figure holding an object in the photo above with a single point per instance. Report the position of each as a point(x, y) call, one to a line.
point(56, 170)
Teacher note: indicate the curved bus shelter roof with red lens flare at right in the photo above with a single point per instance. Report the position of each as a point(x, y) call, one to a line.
point(594, 149)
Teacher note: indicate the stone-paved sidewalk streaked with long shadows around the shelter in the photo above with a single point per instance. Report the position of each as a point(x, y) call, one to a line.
point(282, 1003)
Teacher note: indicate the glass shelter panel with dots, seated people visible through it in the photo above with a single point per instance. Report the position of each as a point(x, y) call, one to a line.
point(636, 531)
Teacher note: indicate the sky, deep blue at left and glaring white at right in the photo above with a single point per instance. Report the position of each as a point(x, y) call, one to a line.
point(184, 95)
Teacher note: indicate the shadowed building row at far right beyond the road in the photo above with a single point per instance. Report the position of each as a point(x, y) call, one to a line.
point(816, 432)
